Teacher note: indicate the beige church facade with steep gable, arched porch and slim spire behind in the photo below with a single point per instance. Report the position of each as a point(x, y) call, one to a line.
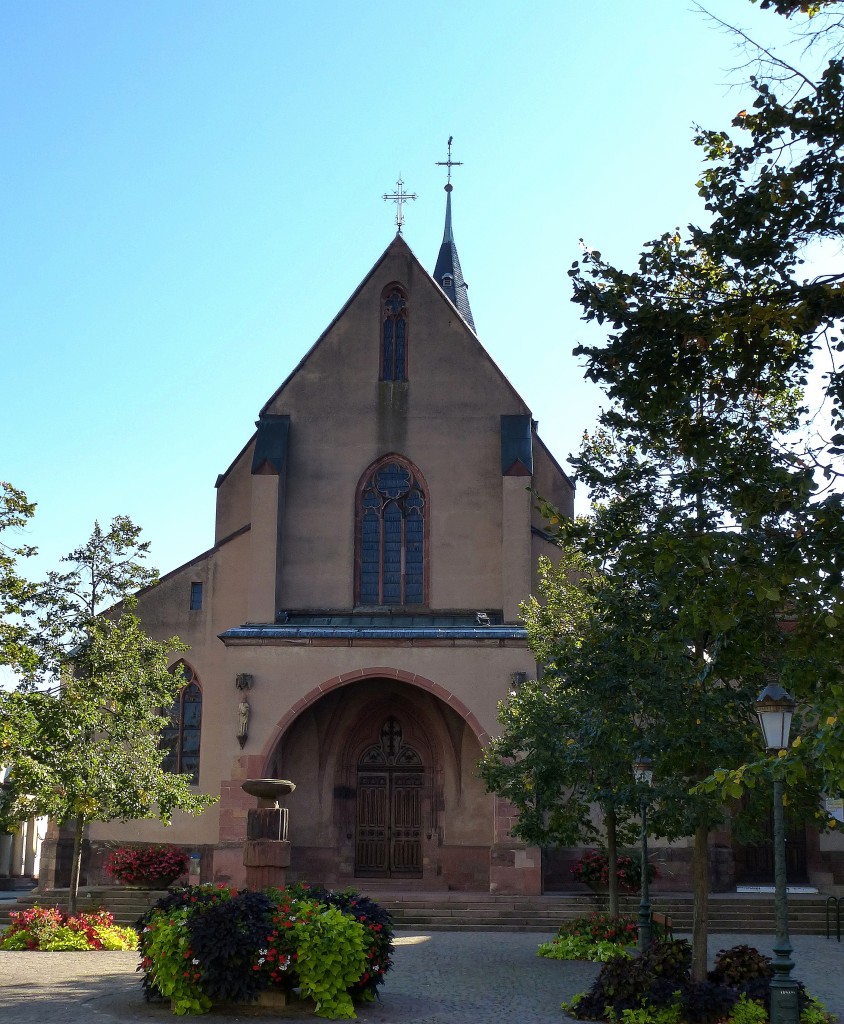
point(356, 622)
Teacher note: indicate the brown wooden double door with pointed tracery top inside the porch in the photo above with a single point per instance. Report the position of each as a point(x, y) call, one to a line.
point(389, 830)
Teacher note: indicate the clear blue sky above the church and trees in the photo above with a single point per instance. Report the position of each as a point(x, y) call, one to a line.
point(192, 190)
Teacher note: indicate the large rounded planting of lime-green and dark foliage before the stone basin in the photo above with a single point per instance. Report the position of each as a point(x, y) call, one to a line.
point(206, 946)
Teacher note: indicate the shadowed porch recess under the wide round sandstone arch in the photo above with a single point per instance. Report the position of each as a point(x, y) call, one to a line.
point(442, 814)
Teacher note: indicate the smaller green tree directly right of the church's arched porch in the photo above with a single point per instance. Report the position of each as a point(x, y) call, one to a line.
point(564, 743)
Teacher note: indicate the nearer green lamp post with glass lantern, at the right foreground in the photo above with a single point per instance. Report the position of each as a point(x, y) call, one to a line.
point(775, 709)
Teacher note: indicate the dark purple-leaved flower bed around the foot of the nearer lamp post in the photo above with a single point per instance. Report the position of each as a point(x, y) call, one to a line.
point(657, 989)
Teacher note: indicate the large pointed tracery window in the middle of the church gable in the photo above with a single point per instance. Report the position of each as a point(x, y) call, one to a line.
point(392, 537)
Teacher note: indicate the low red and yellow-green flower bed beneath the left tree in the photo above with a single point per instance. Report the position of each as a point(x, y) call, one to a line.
point(49, 929)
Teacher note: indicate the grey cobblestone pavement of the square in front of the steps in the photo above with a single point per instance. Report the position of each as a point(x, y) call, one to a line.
point(440, 977)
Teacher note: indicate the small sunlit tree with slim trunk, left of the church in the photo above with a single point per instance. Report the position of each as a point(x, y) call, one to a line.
point(82, 733)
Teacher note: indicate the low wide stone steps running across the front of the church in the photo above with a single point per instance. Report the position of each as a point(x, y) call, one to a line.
point(475, 912)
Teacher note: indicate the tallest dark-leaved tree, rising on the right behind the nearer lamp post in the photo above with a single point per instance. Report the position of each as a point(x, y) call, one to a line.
point(707, 486)
